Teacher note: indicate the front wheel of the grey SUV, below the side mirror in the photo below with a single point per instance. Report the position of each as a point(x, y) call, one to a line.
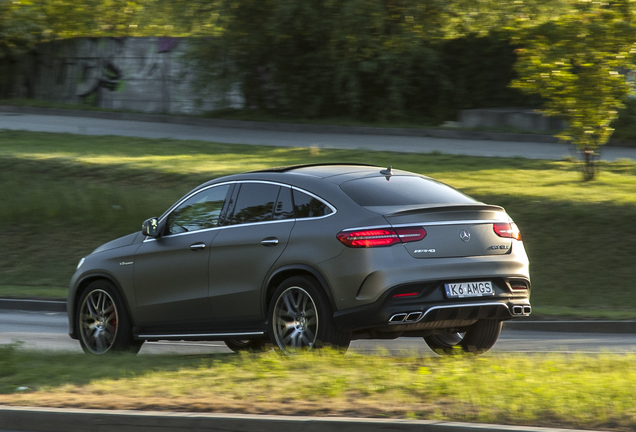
point(102, 321)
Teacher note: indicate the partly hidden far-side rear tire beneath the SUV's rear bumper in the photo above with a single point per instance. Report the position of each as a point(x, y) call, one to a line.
point(477, 339)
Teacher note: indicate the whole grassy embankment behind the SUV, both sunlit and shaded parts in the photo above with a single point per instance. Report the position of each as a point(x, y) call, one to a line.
point(63, 195)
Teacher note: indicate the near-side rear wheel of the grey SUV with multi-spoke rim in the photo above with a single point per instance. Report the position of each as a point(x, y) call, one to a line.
point(300, 318)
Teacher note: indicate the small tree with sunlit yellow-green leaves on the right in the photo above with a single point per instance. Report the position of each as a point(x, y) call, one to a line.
point(576, 63)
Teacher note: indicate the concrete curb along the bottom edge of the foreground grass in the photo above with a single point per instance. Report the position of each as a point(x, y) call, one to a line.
point(80, 420)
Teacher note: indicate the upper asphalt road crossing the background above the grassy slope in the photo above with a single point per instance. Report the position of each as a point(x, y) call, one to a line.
point(406, 144)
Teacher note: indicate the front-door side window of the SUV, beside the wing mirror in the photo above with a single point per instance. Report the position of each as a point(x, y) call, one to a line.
point(200, 211)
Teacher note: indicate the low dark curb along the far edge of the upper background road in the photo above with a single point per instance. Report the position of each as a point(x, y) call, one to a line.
point(287, 127)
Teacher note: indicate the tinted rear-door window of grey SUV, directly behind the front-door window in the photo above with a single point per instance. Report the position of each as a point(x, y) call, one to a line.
point(255, 203)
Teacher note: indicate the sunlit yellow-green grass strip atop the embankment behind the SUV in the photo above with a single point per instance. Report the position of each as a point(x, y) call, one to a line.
point(555, 180)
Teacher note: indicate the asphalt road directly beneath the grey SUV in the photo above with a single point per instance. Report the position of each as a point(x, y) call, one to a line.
point(48, 331)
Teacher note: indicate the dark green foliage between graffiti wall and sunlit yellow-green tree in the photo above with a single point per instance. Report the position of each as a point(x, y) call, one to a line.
point(379, 59)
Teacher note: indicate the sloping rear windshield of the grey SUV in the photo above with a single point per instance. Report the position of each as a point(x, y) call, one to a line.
point(402, 190)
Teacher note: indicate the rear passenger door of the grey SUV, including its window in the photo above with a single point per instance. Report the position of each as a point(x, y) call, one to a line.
point(255, 233)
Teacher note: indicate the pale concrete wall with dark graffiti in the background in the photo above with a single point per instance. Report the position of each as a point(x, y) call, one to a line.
point(140, 74)
